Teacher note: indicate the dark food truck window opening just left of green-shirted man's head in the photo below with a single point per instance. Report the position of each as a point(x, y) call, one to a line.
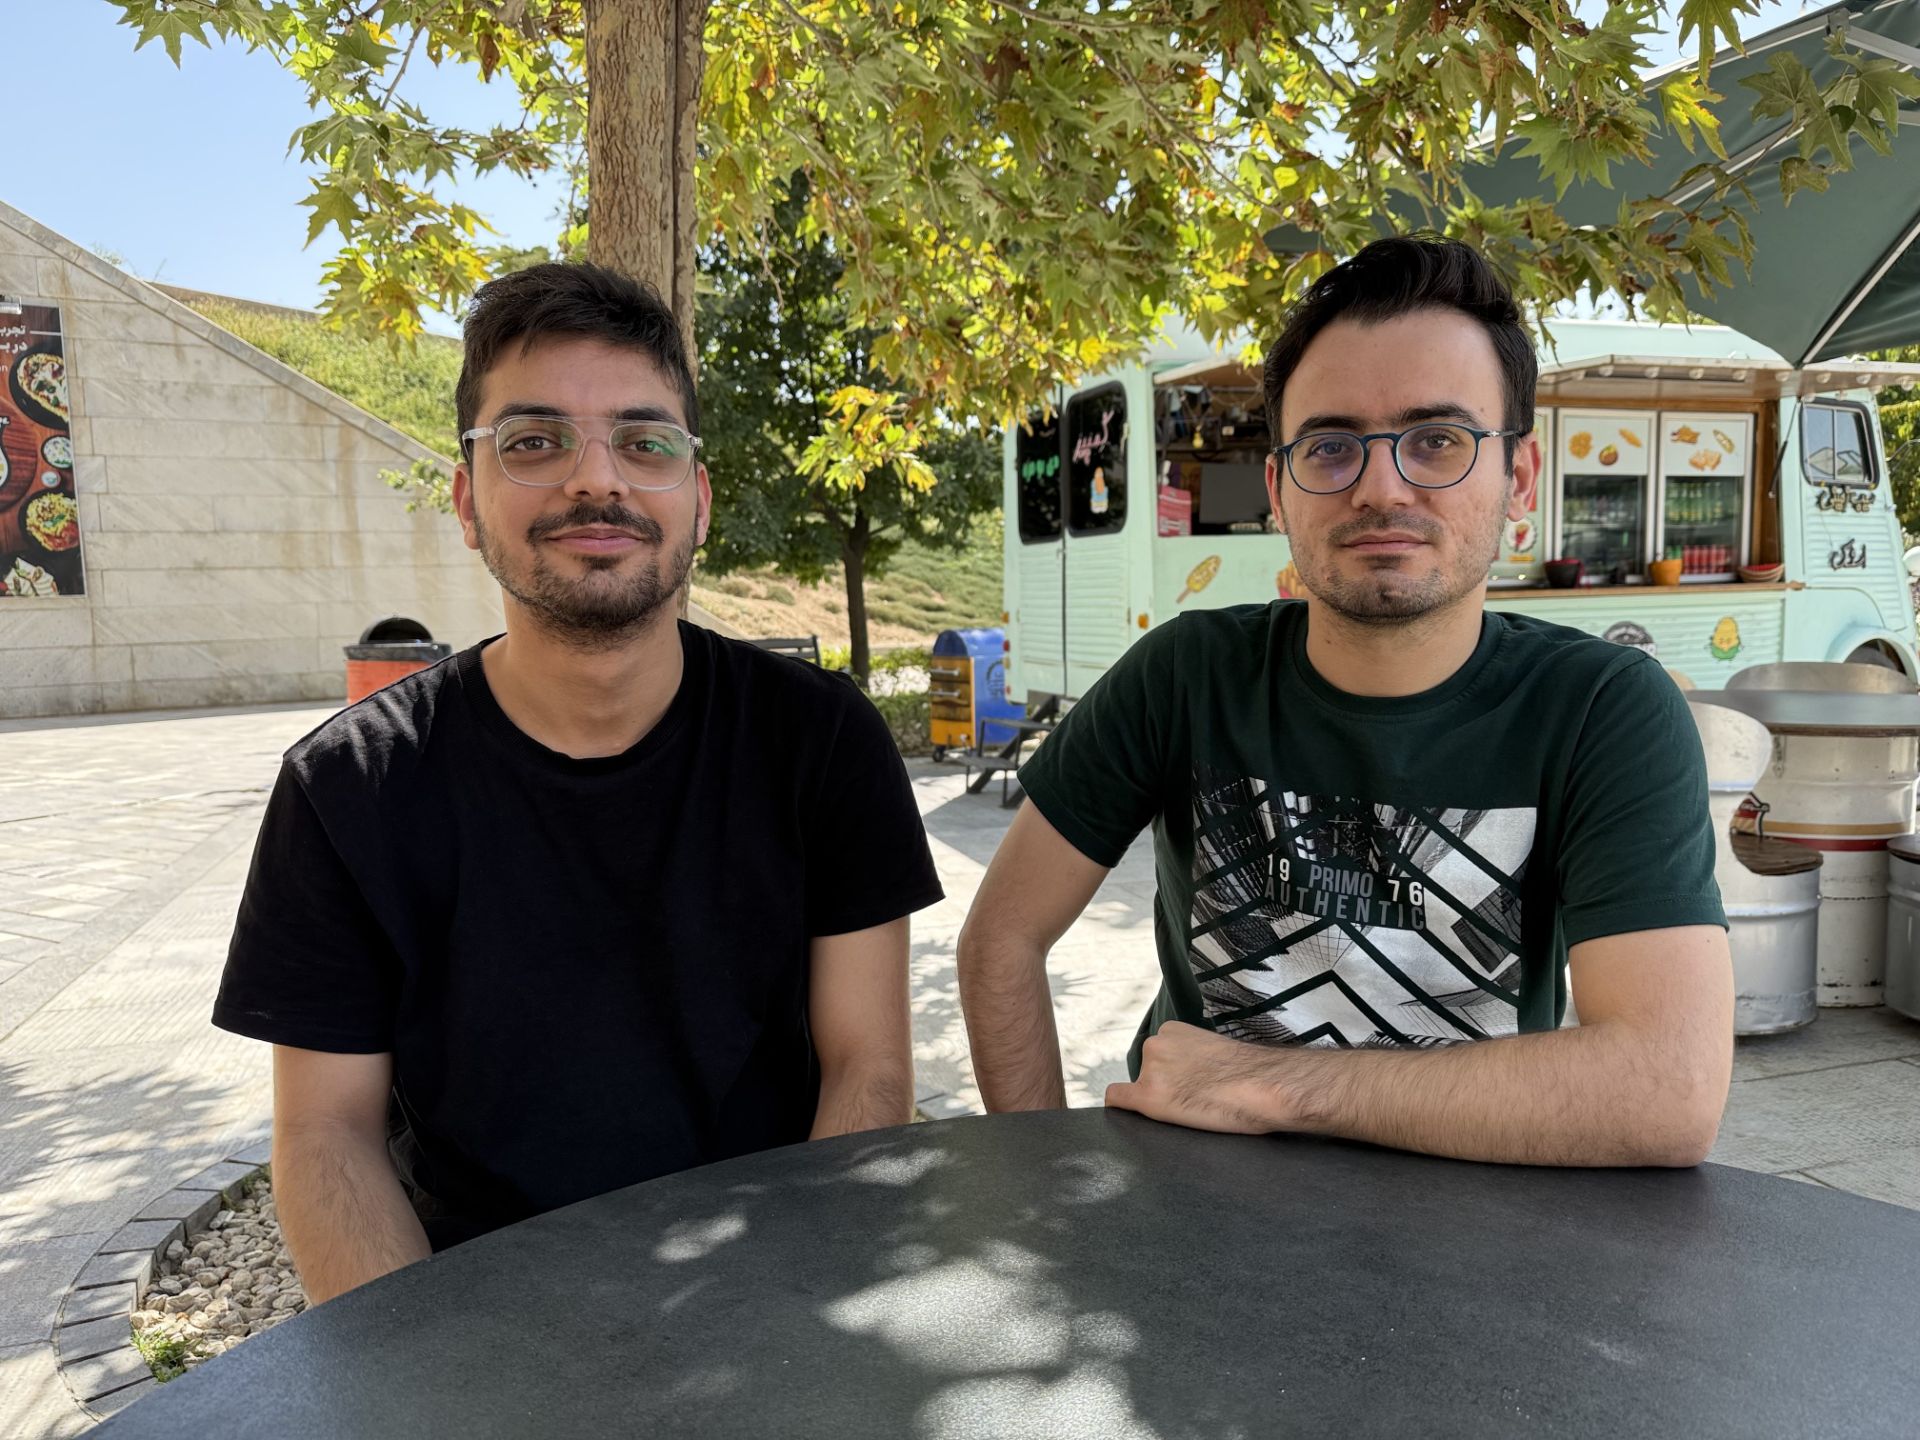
point(1212, 450)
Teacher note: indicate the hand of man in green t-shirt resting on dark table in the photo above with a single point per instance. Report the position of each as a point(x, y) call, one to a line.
point(1201, 1080)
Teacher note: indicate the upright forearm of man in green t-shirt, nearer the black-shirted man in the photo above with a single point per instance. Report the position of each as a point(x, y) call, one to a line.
point(1011, 1024)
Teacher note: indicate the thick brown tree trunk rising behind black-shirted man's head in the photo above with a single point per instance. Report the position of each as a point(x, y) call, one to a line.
point(644, 91)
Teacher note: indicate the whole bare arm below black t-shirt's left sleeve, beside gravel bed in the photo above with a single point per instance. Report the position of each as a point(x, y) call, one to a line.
point(341, 1205)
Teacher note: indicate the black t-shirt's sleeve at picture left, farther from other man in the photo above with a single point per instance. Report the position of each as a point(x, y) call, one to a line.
point(308, 963)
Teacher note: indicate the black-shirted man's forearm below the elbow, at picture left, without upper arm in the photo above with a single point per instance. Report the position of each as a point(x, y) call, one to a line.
point(343, 1211)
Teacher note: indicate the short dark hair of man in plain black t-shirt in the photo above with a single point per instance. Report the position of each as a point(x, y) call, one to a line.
point(569, 300)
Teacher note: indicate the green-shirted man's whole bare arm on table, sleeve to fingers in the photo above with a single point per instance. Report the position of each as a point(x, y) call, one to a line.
point(1643, 1080)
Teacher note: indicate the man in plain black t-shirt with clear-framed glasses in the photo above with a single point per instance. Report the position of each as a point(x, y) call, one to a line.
point(600, 900)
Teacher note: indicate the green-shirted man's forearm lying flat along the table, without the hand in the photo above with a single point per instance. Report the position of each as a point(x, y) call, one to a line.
point(1596, 1095)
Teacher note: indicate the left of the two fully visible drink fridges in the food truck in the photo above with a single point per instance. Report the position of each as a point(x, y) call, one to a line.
point(1604, 464)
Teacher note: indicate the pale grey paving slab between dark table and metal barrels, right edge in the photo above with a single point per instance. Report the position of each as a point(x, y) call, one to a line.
point(1815, 1120)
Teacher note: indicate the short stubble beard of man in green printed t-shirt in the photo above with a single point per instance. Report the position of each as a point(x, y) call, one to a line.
point(1389, 592)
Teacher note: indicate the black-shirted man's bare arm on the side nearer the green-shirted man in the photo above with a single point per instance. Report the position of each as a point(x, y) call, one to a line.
point(863, 1034)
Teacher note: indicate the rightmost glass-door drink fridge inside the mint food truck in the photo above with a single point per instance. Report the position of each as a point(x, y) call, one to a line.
point(1702, 492)
